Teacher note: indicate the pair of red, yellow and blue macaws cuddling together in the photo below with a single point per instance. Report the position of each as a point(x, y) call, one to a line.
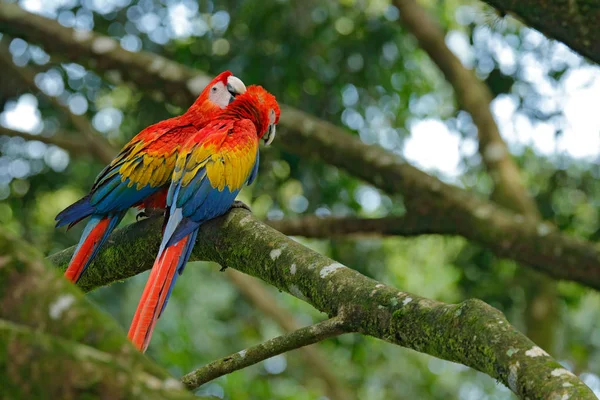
point(193, 165)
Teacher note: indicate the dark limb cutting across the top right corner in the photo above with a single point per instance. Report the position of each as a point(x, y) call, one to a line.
point(576, 23)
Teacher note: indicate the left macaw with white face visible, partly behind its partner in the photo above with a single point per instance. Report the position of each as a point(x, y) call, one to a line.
point(139, 175)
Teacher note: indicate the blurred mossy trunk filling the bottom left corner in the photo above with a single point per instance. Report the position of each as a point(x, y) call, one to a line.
point(56, 344)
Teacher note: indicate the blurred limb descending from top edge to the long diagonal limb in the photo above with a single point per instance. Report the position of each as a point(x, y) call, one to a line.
point(475, 98)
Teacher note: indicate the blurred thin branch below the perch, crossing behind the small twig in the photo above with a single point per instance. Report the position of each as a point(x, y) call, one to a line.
point(261, 299)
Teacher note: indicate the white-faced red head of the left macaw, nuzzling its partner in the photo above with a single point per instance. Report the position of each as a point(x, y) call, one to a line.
point(217, 95)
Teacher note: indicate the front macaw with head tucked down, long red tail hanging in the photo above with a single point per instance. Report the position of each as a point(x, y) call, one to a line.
point(212, 167)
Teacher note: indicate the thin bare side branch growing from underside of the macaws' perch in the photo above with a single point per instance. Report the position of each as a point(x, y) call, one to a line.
point(255, 354)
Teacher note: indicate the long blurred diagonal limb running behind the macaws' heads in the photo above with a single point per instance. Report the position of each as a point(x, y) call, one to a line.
point(425, 196)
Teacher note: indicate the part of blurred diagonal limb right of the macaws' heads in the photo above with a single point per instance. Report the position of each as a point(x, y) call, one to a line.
point(446, 207)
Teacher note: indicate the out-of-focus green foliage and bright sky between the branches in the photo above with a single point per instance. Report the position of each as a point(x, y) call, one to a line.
point(352, 63)
